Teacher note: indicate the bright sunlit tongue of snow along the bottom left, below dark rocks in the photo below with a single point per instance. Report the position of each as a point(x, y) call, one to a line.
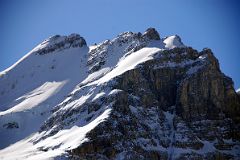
point(53, 146)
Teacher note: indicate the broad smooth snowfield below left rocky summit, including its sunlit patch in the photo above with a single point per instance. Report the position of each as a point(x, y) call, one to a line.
point(33, 86)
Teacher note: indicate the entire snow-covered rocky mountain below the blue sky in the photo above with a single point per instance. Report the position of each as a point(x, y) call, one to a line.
point(137, 96)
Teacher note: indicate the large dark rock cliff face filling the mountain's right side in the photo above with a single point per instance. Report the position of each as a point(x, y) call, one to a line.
point(177, 106)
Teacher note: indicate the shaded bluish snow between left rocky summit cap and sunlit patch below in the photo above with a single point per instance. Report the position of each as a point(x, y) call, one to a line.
point(35, 70)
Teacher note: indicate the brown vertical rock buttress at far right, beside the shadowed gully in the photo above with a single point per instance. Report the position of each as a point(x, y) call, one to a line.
point(208, 94)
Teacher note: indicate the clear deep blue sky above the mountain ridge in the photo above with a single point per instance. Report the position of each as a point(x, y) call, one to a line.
point(200, 23)
